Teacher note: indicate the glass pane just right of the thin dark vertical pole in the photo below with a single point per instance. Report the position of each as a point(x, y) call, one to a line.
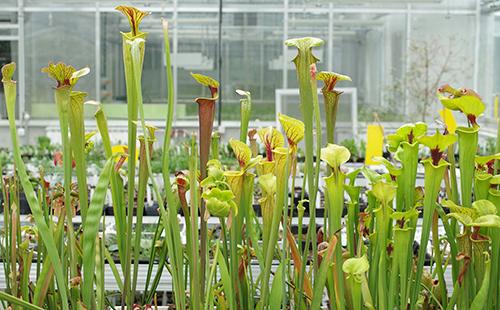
point(252, 49)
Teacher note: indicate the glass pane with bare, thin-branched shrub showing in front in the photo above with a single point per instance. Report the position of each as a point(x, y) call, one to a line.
point(440, 58)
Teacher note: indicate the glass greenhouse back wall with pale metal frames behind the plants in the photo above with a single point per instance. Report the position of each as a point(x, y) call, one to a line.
point(397, 53)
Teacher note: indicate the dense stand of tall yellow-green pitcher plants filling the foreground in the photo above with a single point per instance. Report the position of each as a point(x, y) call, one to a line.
point(230, 231)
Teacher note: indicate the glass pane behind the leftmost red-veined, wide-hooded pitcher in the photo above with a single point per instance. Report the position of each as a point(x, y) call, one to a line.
point(55, 37)
